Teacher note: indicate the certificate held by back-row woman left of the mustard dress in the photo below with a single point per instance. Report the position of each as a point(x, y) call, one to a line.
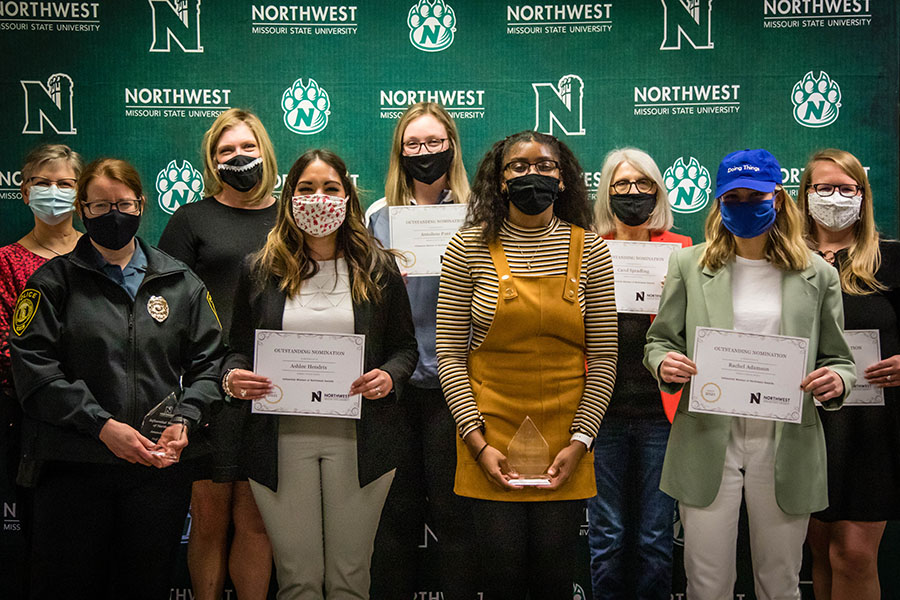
point(421, 235)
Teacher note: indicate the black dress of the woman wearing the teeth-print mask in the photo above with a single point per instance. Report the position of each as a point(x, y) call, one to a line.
point(213, 239)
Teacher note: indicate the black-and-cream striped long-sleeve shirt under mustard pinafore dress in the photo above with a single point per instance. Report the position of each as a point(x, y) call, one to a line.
point(468, 298)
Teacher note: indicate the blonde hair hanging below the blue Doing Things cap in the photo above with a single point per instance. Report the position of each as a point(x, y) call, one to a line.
point(785, 247)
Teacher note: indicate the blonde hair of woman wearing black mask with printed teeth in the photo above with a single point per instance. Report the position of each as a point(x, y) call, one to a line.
point(224, 122)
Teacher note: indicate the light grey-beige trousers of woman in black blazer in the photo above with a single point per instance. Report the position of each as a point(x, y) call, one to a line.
point(321, 524)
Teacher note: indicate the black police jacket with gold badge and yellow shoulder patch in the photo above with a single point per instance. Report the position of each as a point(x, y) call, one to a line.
point(83, 352)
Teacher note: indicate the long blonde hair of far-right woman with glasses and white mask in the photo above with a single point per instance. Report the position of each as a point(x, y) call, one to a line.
point(863, 257)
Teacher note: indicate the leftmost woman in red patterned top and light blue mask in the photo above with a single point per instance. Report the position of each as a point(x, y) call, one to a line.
point(48, 189)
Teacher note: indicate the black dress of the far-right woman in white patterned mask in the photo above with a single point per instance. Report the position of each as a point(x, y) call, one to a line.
point(863, 442)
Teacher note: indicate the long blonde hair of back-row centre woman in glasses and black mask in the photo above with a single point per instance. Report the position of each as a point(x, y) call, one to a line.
point(398, 188)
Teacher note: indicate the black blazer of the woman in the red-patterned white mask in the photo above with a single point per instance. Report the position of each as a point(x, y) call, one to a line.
point(390, 346)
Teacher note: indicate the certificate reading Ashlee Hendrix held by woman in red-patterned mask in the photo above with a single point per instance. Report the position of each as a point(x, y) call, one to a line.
point(311, 373)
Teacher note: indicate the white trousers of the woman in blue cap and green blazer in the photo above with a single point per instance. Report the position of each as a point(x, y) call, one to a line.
point(776, 538)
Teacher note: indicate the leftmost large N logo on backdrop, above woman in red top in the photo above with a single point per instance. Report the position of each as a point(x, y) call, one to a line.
point(50, 104)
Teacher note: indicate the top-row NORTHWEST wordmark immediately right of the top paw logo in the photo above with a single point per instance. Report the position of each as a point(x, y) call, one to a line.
point(532, 19)
